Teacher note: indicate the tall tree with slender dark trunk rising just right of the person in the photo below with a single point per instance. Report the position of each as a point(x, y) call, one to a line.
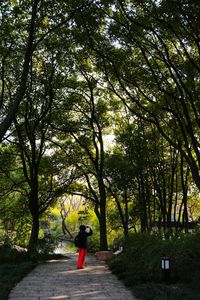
point(84, 122)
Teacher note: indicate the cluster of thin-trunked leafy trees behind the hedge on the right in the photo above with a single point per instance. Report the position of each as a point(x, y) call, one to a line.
point(155, 175)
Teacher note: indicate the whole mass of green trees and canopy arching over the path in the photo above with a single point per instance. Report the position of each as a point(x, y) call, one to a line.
point(100, 100)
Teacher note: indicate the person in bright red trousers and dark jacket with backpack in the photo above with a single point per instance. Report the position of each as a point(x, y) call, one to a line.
point(84, 232)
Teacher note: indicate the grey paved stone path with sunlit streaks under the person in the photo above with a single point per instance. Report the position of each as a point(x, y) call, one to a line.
point(58, 280)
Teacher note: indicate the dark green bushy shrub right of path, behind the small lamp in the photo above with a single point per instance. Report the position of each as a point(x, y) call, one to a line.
point(141, 260)
